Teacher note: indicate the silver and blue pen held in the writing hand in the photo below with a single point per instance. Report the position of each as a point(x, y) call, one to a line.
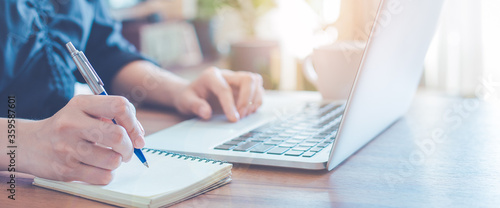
point(95, 83)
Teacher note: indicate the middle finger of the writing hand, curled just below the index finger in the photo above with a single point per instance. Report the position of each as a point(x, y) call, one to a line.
point(108, 135)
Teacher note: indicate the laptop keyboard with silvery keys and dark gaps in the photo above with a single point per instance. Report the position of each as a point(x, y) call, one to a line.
point(301, 134)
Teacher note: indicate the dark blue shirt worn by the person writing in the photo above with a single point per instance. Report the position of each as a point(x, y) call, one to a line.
point(35, 66)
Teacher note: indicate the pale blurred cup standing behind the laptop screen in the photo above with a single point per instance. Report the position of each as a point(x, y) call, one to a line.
point(332, 68)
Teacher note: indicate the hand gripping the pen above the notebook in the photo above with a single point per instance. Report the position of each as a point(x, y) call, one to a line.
point(80, 143)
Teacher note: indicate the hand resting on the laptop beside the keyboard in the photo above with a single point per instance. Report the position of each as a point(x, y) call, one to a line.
point(239, 94)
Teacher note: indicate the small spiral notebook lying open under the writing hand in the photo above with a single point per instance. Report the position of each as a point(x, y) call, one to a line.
point(171, 178)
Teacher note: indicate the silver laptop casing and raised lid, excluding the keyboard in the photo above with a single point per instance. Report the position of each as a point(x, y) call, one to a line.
point(386, 81)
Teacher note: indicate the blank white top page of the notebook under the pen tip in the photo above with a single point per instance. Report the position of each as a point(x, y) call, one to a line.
point(166, 174)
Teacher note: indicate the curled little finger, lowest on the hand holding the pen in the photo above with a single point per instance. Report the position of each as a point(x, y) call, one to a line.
point(94, 155)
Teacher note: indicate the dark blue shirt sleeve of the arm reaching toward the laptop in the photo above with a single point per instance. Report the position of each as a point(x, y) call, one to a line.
point(106, 48)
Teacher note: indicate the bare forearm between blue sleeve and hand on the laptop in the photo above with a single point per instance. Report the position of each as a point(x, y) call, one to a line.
point(142, 81)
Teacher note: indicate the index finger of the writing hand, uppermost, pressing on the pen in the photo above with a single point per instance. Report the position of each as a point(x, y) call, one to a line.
point(113, 107)
